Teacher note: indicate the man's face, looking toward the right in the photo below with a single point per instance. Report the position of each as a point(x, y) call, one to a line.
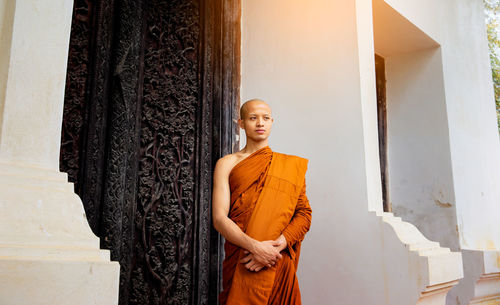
point(257, 121)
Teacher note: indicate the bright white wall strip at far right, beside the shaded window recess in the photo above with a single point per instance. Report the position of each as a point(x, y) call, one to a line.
point(458, 26)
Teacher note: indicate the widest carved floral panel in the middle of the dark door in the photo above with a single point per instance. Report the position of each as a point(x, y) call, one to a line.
point(165, 212)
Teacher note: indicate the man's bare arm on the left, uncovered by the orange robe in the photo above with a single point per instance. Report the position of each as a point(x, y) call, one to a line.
point(264, 252)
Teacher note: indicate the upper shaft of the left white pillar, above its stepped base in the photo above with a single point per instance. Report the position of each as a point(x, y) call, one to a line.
point(37, 61)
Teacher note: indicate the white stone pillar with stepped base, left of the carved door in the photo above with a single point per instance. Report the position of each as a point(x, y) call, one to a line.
point(48, 254)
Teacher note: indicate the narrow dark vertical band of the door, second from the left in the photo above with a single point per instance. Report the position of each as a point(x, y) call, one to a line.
point(99, 79)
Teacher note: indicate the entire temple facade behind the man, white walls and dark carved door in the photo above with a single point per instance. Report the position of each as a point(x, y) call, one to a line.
point(390, 100)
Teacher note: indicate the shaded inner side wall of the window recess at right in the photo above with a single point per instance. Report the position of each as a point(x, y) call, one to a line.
point(419, 161)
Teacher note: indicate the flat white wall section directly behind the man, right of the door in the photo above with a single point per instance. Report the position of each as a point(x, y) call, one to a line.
point(302, 59)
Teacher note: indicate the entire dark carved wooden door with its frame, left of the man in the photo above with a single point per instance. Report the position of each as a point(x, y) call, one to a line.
point(151, 98)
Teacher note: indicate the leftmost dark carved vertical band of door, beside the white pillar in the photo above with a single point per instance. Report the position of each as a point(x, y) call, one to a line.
point(86, 99)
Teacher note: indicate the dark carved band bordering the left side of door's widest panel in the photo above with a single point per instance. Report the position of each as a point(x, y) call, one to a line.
point(120, 194)
